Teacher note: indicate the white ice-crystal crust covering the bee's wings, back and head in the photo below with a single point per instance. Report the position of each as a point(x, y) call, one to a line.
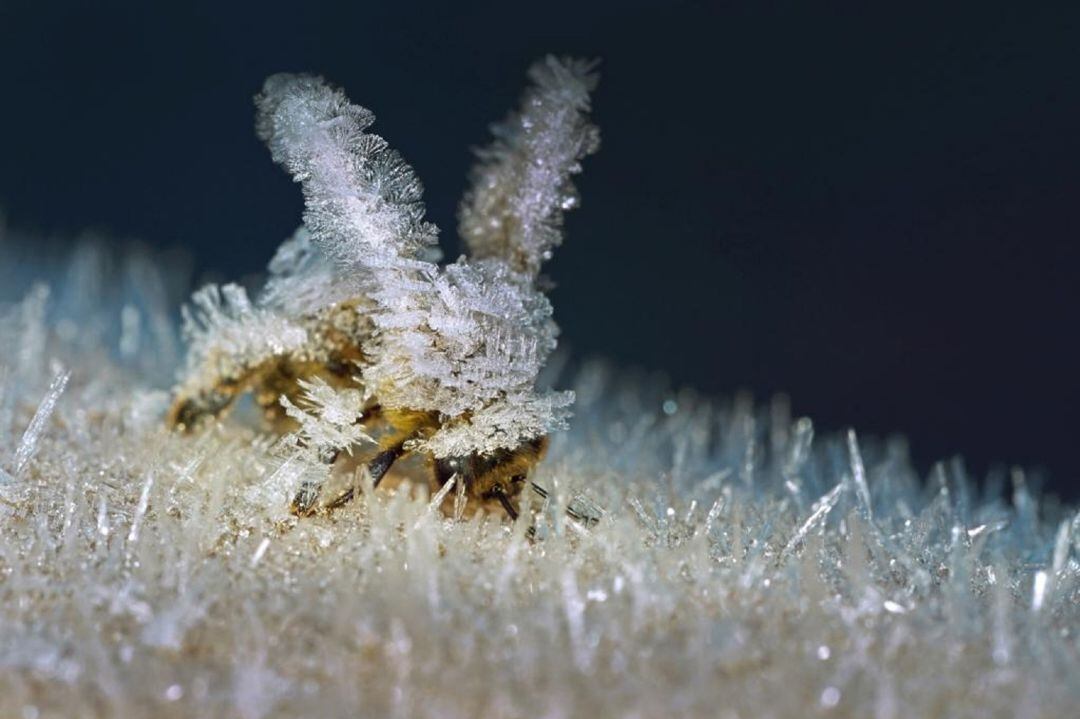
point(466, 341)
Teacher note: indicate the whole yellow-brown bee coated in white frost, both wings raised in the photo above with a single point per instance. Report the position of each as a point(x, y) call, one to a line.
point(360, 342)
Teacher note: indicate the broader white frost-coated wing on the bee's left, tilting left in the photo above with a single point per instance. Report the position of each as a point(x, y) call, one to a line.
point(363, 202)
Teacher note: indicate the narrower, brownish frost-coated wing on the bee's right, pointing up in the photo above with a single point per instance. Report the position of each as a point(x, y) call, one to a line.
point(522, 186)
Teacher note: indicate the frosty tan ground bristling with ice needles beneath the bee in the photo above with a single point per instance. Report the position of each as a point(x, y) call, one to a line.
point(740, 569)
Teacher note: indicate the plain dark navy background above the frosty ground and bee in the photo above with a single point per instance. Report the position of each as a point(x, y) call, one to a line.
point(873, 210)
